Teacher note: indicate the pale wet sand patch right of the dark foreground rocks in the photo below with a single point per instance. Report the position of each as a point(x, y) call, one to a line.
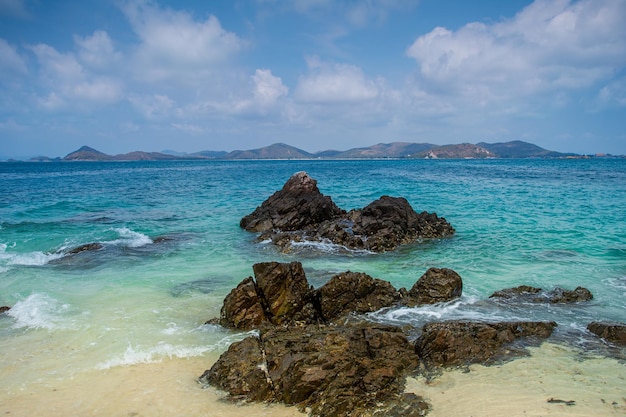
point(553, 381)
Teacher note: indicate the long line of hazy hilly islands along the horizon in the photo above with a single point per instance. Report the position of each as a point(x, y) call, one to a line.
point(394, 150)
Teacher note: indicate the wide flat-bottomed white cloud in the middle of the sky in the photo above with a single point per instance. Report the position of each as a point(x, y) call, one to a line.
point(335, 83)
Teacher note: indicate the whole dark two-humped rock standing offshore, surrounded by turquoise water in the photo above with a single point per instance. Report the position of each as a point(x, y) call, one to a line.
point(299, 212)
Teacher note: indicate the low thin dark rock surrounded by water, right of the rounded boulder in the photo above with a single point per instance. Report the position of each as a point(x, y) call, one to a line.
point(558, 295)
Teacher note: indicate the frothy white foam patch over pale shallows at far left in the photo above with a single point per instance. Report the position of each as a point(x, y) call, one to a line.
point(40, 311)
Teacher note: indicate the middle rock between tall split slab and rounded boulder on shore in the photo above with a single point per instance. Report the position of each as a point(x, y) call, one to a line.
point(354, 292)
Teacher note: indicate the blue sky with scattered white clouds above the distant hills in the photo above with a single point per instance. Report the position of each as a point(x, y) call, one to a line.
point(223, 75)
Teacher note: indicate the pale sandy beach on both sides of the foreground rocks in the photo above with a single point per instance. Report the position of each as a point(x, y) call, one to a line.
point(523, 387)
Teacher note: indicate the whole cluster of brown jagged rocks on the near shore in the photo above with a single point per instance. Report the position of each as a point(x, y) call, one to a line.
point(316, 350)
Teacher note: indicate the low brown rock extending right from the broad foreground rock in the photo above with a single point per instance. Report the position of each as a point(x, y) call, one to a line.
point(454, 343)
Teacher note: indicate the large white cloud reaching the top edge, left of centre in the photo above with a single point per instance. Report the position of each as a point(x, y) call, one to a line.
point(175, 46)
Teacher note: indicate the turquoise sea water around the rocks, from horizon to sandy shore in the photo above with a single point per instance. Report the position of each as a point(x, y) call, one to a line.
point(172, 248)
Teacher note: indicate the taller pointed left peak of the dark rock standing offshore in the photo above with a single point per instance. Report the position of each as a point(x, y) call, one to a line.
point(298, 205)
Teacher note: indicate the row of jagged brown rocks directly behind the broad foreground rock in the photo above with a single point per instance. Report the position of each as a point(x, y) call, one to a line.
point(280, 294)
